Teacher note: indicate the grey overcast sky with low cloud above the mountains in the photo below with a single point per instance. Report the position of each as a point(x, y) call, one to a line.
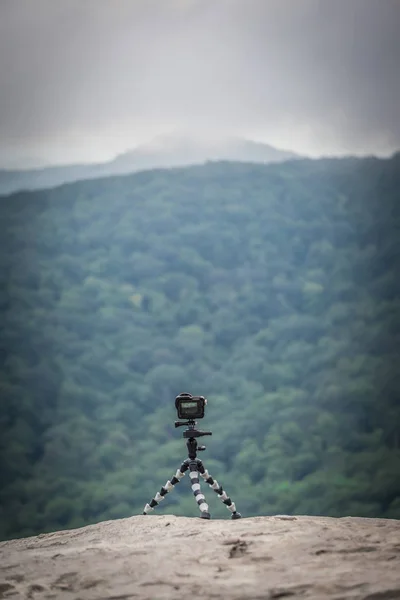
point(81, 80)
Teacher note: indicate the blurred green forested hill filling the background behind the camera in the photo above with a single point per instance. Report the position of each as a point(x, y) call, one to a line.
point(273, 290)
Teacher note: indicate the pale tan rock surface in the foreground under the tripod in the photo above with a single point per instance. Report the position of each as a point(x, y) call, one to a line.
point(156, 557)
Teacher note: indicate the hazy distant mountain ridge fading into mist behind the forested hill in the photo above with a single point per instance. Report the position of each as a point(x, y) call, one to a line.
point(164, 151)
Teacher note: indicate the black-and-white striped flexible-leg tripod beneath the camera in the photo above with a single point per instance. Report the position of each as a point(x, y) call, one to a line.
point(195, 467)
